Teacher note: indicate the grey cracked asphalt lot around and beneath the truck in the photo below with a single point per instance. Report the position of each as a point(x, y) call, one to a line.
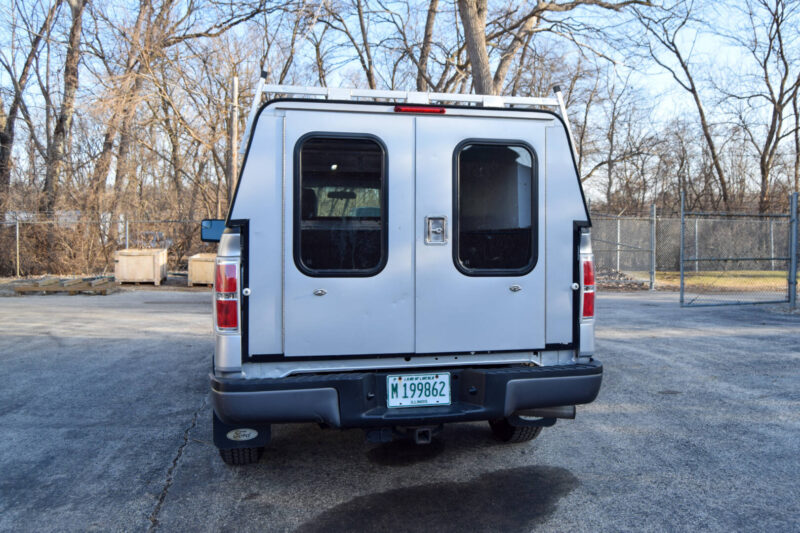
point(106, 426)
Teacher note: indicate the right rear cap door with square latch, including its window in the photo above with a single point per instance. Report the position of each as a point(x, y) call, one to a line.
point(480, 276)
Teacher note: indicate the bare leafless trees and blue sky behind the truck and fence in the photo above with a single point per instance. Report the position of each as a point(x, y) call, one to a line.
point(123, 109)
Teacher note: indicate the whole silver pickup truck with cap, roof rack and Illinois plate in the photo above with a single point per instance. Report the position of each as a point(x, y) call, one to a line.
point(396, 261)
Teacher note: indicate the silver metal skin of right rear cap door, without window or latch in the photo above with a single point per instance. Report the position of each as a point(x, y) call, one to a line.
point(455, 312)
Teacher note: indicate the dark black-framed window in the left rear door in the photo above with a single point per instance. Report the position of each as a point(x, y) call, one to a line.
point(340, 206)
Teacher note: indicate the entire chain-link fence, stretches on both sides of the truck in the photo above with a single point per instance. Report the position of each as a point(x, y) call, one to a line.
point(711, 258)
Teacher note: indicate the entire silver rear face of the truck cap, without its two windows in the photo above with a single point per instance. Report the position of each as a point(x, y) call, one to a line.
point(419, 303)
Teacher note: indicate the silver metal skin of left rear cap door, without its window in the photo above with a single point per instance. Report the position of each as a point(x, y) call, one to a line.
point(357, 315)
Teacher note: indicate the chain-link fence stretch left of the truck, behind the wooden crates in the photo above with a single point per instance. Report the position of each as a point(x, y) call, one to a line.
point(73, 246)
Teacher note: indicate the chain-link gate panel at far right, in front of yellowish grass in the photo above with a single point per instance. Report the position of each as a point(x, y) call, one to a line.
point(730, 259)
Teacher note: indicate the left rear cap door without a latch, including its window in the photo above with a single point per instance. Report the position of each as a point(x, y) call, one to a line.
point(348, 234)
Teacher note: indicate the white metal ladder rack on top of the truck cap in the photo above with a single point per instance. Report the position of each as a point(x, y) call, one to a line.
point(403, 97)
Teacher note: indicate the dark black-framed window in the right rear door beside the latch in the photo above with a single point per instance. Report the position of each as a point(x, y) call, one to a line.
point(495, 209)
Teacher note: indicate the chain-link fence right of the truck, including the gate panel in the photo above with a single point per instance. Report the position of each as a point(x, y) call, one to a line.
point(712, 259)
